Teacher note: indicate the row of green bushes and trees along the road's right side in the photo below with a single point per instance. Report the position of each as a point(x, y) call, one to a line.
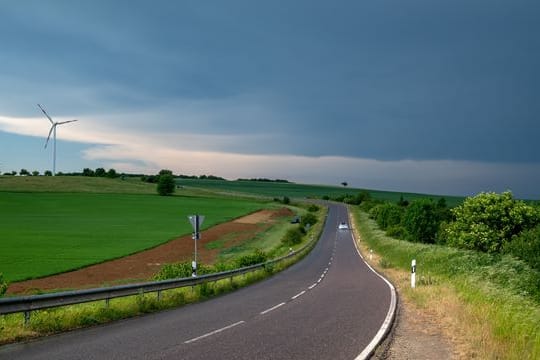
point(487, 222)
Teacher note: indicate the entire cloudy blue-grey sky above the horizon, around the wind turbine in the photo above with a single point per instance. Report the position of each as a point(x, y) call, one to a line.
point(419, 95)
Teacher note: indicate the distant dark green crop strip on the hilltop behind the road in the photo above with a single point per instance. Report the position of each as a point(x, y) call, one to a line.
point(292, 190)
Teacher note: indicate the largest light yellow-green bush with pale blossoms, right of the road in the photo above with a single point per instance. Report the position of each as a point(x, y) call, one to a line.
point(488, 221)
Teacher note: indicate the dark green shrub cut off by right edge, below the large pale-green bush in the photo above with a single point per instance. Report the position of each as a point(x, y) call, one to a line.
point(526, 246)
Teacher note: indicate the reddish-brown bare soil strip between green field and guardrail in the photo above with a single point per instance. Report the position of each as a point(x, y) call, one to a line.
point(144, 265)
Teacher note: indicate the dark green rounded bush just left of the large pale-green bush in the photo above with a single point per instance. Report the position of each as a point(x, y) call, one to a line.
point(421, 221)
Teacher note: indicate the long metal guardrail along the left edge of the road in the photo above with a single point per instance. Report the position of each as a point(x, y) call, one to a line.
point(27, 304)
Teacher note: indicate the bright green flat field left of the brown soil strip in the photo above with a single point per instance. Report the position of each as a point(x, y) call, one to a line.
point(47, 233)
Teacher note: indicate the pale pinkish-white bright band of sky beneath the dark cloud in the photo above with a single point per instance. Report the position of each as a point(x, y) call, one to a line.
point(127, 151)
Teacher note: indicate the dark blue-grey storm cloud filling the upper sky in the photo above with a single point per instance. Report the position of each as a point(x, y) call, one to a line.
point(386, 80)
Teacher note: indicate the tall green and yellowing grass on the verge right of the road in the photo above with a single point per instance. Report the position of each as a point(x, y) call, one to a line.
point(501, 306)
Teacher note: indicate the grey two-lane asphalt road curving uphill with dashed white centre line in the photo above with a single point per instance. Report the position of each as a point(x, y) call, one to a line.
point(330, 305)
